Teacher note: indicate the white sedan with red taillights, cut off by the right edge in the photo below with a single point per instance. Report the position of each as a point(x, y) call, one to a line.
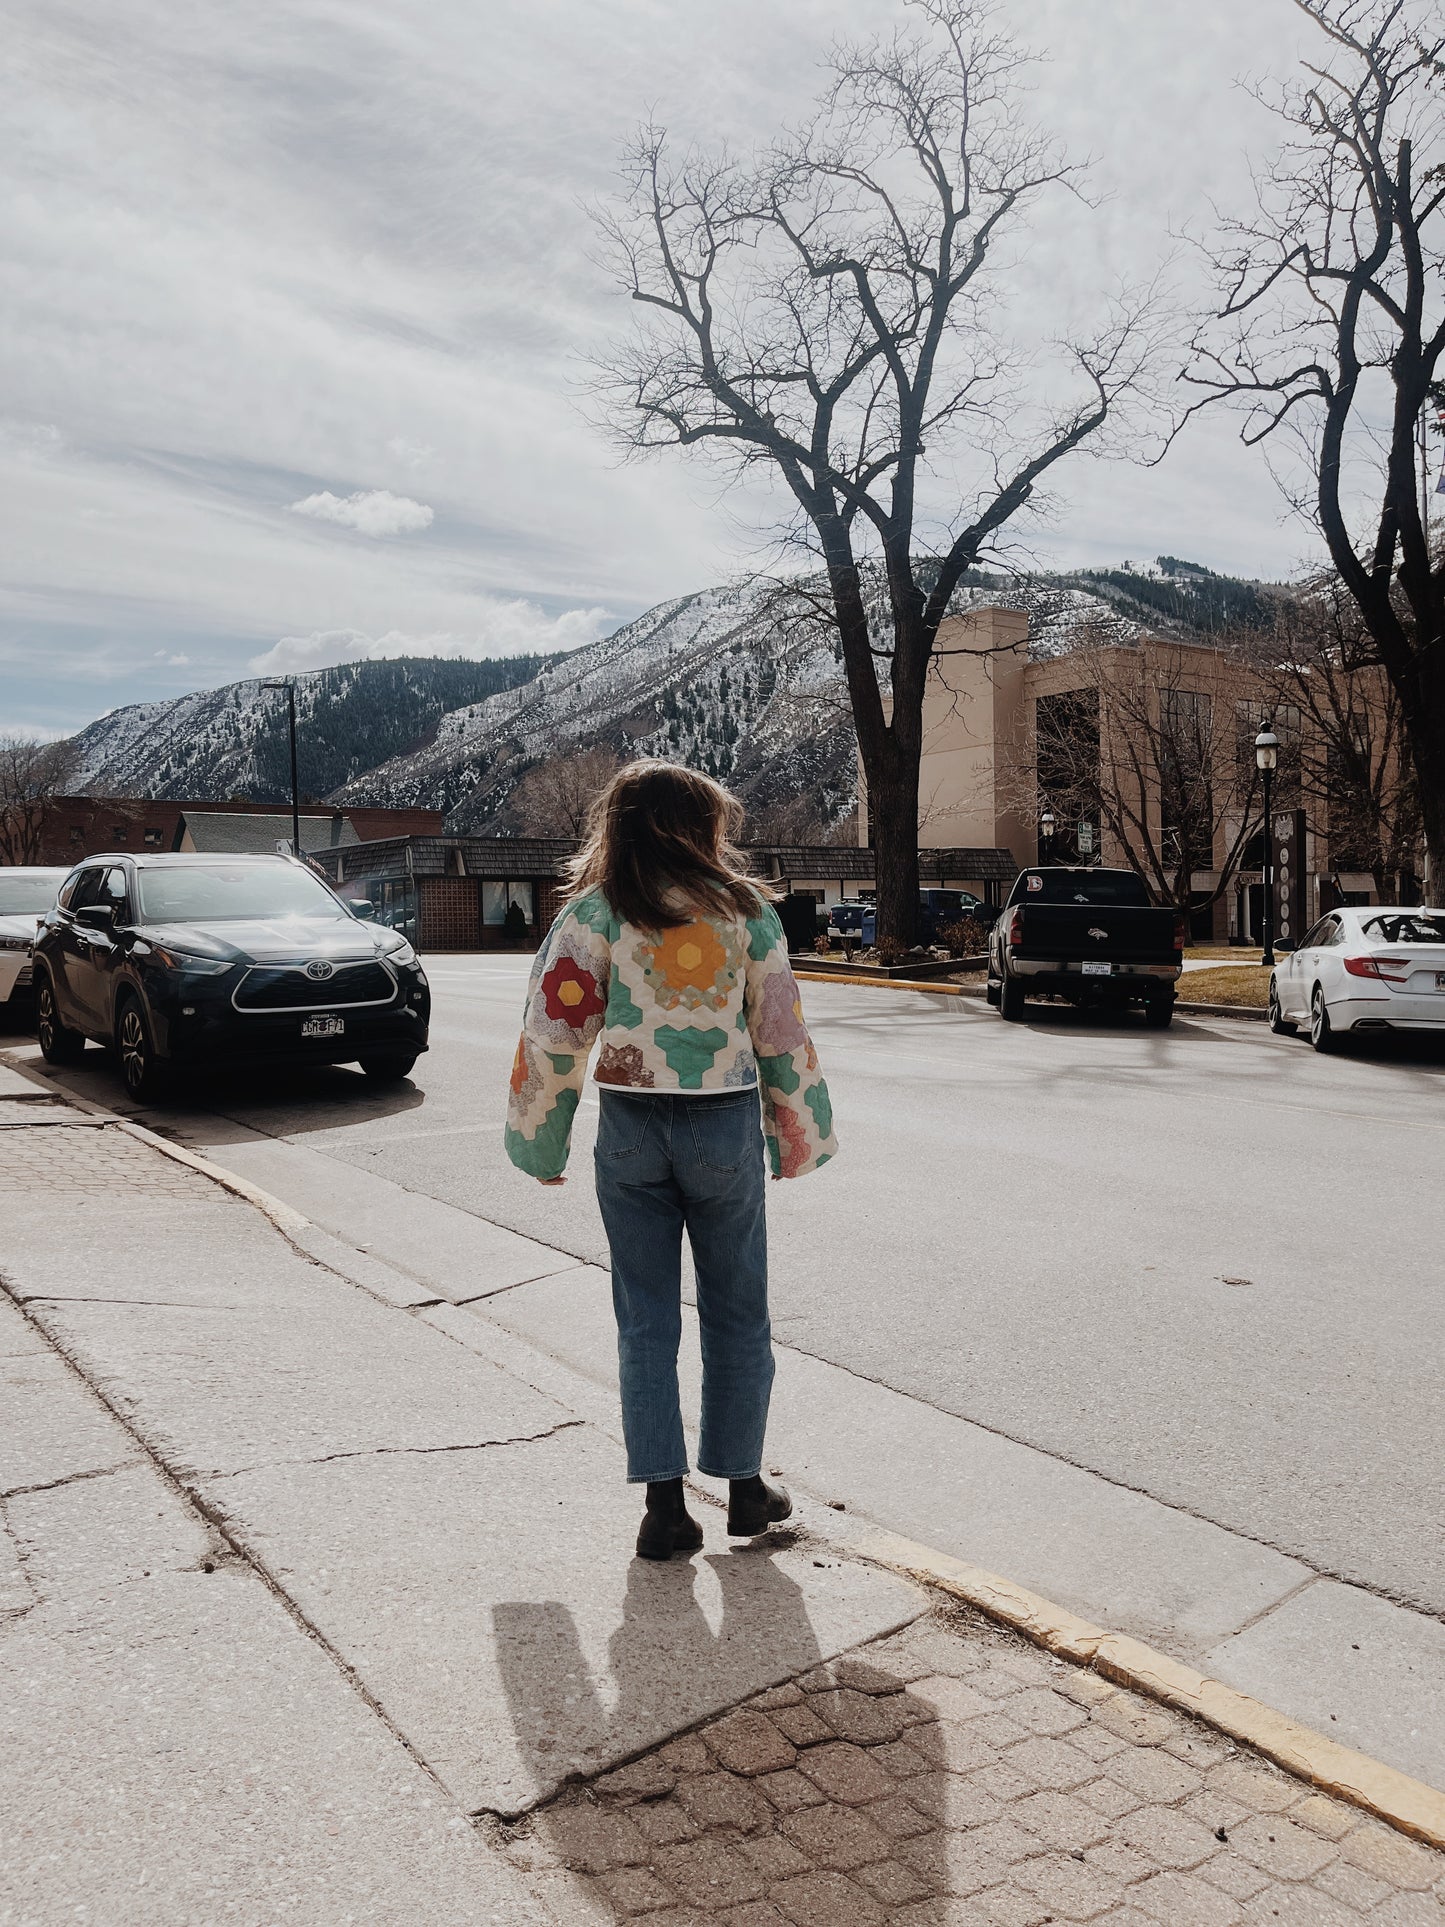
point(1377, 968)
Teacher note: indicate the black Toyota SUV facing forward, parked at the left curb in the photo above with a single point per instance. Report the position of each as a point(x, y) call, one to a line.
point(207, 961)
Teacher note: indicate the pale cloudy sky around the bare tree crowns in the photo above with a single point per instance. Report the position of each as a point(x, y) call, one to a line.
point(298, 300)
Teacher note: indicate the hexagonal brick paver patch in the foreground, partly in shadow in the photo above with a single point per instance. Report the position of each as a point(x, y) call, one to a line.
point(959, 1778)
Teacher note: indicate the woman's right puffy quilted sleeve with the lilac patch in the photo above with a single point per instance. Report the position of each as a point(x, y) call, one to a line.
point(797, 1109)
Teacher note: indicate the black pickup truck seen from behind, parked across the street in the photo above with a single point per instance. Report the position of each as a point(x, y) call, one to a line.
point(1086, 937)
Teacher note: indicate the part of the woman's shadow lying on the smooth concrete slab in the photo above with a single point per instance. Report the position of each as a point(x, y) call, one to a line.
point(668, 1664)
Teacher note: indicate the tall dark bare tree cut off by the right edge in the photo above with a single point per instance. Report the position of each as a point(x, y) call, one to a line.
point(1332, 321)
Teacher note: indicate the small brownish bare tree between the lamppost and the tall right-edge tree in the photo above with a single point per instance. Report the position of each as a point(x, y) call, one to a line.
point(1319, 662)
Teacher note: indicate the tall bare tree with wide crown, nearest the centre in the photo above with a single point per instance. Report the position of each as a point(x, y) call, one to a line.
point(829, 311)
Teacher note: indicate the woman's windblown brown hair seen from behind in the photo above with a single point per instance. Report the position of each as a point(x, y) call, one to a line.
point(660, 847)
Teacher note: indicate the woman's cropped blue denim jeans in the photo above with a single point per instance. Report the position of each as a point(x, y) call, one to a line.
point(664, 1165)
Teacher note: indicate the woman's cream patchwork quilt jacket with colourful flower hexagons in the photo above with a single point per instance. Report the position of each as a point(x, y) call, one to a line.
point(704, 1007)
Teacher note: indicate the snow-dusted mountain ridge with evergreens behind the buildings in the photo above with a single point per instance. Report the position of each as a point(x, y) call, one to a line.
point(741, 681)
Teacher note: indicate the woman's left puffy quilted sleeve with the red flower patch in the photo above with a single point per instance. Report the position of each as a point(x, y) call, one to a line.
point(565, 1009)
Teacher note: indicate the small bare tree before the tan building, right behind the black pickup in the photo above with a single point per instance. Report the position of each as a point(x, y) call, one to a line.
point(1145, 749)
